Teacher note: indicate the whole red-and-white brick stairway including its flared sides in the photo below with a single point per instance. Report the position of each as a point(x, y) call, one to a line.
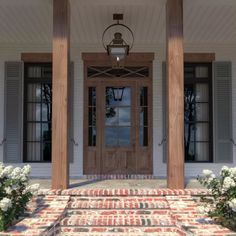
point(104, 212)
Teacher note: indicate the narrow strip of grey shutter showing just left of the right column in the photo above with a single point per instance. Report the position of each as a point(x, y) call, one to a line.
point(164, 110)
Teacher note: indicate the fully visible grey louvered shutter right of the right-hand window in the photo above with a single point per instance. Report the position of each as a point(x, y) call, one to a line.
point(223, 112)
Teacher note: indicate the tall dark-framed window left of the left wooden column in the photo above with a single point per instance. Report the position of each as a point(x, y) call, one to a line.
point(37, 112)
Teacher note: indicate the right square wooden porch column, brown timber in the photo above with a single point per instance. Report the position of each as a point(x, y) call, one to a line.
point(175, 94)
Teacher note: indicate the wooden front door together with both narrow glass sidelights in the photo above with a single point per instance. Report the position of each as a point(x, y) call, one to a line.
point(117, 122)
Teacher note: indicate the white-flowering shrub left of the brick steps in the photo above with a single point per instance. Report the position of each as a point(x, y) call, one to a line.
point(15, 193)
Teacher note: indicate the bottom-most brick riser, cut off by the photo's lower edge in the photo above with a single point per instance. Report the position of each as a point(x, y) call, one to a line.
point(131, 231)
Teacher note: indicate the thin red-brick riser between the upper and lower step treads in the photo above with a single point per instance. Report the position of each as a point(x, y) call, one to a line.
point(112, 212)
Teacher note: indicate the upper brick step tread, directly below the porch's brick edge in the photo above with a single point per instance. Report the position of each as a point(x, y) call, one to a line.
point(118, 203)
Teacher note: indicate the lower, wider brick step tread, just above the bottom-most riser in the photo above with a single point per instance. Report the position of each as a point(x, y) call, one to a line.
point(118, 220)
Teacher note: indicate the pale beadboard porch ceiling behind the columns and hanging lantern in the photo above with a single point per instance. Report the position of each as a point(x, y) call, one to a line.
point(30, 21)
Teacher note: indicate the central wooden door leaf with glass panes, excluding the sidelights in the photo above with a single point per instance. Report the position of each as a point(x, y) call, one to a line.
point(118, 128)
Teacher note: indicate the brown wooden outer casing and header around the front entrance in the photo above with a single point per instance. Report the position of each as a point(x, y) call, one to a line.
point(102, 59)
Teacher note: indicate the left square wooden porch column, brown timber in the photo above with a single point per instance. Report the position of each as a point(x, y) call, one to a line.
point(60, 119)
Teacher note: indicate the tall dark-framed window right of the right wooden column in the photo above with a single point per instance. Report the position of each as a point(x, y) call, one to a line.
point(197, 115)
